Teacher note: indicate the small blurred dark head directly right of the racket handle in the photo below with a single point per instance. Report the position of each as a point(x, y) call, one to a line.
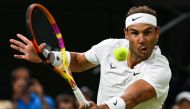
point(87, 93)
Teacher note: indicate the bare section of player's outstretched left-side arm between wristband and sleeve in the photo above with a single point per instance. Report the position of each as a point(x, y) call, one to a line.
point(79, 62)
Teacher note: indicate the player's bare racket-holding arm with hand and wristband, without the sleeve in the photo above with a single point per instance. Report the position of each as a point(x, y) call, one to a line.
point(136, 93)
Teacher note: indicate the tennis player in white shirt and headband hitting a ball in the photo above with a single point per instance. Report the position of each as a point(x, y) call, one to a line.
point(141, 82)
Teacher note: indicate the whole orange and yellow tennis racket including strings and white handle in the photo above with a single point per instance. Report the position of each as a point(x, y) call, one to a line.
point(43, 28)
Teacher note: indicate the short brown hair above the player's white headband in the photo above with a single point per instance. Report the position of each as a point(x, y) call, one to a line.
point(141, 9)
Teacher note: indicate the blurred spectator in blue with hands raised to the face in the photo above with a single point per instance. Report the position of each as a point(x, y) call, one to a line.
point(27, 93)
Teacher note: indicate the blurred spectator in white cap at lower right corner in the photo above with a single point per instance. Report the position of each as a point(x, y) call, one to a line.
point(182, 101)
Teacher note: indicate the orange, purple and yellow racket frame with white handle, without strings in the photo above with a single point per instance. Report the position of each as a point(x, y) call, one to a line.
point(67, 73)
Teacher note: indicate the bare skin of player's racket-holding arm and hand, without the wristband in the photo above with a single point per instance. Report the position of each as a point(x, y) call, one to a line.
point(140, 91)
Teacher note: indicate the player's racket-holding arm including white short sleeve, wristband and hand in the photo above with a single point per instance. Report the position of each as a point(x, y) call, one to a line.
point(153, 84)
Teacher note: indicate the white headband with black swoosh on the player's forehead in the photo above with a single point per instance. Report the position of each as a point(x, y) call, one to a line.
point(140, 18)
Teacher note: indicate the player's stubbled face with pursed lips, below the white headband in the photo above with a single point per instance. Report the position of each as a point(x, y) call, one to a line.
point(142, 39)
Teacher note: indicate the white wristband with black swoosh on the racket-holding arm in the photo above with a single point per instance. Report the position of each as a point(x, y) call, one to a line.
point(116, 103)
